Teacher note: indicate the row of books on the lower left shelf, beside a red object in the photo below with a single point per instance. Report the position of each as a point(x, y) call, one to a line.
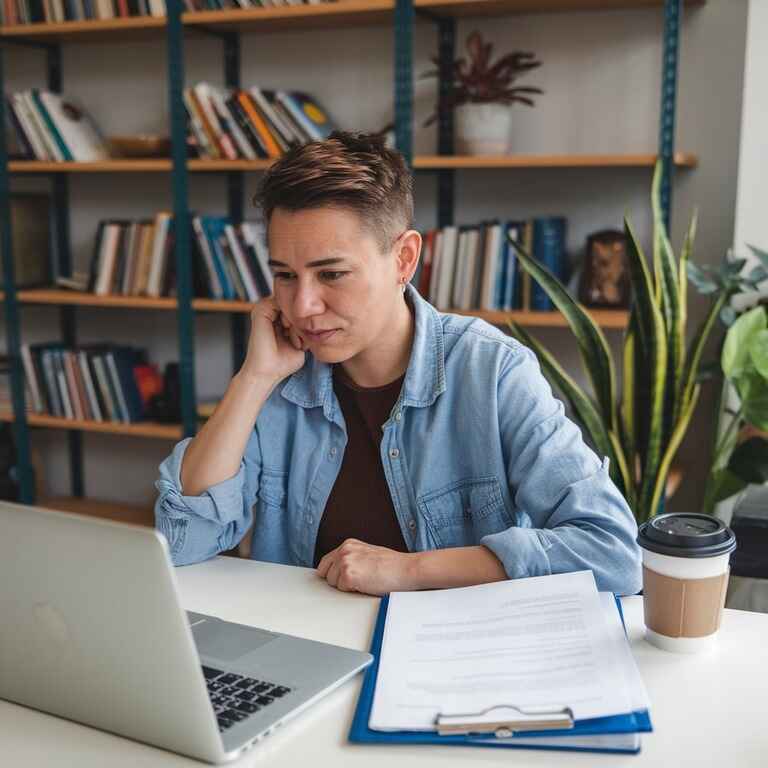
point(103, 382)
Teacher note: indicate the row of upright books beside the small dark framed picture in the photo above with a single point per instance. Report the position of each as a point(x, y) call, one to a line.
point(475, 267)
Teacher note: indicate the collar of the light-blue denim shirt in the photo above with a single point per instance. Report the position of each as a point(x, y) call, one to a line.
point(312, 386)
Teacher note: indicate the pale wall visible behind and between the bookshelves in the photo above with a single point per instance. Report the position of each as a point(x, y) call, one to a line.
point(601, 75)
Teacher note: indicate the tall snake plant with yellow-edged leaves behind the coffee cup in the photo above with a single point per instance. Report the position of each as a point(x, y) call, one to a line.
point(640, 427)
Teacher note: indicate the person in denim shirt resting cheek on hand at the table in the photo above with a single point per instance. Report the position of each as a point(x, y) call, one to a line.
point(391, 446)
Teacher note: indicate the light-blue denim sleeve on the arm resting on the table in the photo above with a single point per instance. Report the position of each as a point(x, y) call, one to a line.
point(578, 518)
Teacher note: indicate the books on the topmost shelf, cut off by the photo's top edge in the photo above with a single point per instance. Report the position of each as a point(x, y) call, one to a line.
point(51, 11)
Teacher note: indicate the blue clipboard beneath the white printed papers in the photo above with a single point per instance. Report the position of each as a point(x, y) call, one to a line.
point(630, 723)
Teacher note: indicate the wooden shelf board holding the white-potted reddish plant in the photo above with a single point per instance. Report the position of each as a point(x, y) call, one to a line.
point(423, 162)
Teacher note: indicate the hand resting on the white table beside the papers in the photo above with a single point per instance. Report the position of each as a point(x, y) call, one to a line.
point(359, 567)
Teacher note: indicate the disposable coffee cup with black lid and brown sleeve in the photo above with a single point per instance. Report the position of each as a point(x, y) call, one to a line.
point(685, 578)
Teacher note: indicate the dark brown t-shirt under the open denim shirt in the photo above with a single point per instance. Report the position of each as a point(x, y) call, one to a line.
point(360, 506)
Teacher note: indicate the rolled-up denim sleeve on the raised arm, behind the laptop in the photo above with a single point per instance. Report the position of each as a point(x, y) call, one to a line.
point(199, 527)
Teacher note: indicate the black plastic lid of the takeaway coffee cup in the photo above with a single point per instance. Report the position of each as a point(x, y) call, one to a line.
point(686, 534)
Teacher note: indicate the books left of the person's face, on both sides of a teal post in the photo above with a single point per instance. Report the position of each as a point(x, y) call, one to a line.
point(136, 258)
